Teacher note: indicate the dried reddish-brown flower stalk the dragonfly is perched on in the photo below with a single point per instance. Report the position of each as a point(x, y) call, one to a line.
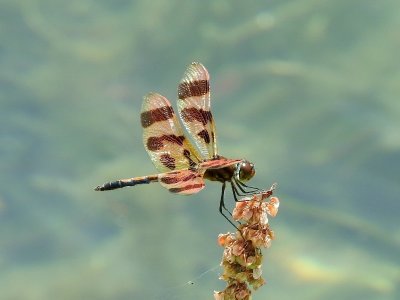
point(242, 257)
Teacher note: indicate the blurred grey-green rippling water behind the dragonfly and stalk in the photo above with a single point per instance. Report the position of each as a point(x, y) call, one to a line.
point(308, 90)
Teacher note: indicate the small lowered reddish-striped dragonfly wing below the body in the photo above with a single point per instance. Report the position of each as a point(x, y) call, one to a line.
point(184, 182)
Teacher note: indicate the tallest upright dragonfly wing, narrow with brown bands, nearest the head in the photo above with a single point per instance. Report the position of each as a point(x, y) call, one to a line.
point(194, 109)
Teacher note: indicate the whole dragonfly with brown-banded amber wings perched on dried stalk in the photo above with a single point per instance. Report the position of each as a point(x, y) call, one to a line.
point(185, 163)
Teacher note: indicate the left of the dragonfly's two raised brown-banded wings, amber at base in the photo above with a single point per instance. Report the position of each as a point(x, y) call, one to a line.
point(163, 136)
